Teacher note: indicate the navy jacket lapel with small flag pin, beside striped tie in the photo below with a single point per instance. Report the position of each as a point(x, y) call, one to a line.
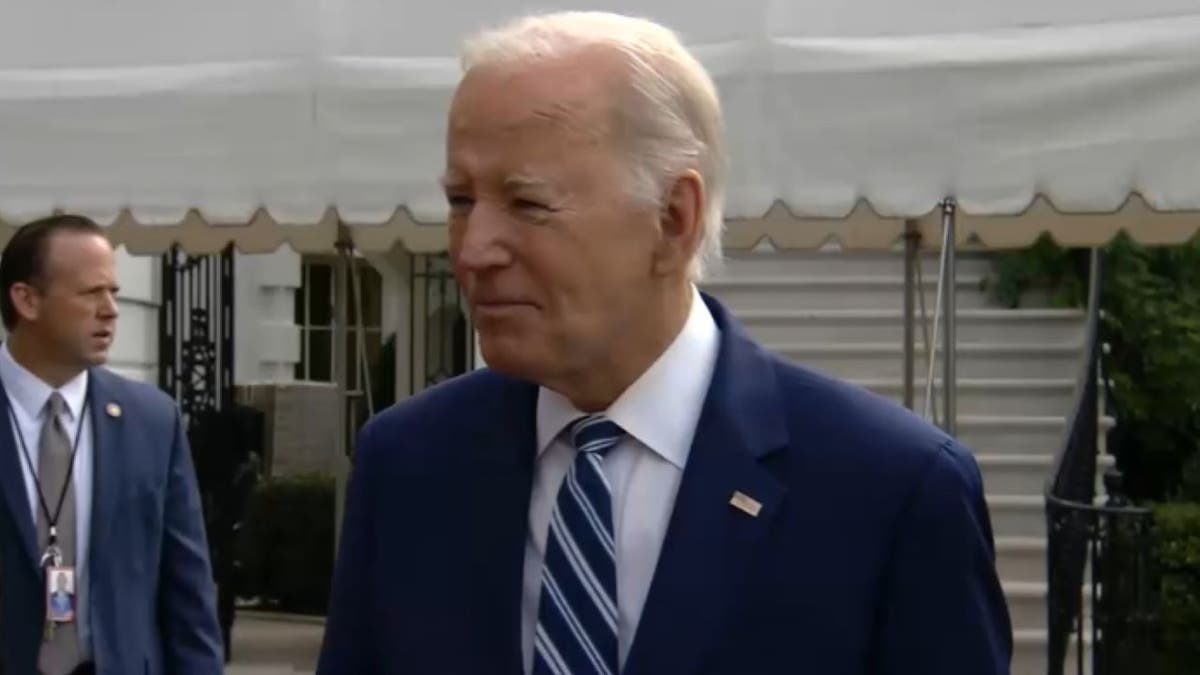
point(711, 541)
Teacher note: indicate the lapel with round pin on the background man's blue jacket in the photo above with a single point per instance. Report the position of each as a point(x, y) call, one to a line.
point(107, 431)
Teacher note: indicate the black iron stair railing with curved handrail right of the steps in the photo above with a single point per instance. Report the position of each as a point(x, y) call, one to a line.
point(1101, 602)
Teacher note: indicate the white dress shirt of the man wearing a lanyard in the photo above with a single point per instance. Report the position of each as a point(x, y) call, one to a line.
point(27, 398)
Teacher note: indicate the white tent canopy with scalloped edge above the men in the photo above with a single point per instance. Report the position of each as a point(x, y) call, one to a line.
point(269, 123)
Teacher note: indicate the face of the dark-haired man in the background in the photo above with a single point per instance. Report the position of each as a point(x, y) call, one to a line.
point(75, 303)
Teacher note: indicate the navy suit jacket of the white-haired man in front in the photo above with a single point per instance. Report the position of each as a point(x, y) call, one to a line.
point(873, 553)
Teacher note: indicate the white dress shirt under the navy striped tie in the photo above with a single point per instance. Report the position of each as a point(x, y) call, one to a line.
point(659, 413)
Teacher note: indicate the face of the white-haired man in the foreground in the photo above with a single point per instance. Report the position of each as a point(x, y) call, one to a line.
point(554, 256)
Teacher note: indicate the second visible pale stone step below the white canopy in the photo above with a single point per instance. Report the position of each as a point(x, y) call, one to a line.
point(795, 292)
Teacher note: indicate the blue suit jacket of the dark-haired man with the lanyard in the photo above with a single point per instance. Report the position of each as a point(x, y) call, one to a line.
point(152, 594)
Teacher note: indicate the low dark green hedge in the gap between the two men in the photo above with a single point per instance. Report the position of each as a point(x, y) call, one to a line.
point(286, 546)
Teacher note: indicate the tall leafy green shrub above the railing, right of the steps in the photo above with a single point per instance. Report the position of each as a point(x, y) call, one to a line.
point(1151, 302)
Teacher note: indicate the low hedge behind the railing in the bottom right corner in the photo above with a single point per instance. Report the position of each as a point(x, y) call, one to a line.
point(1178, 564)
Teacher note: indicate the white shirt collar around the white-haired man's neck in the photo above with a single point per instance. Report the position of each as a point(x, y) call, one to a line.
point(662, 408)
